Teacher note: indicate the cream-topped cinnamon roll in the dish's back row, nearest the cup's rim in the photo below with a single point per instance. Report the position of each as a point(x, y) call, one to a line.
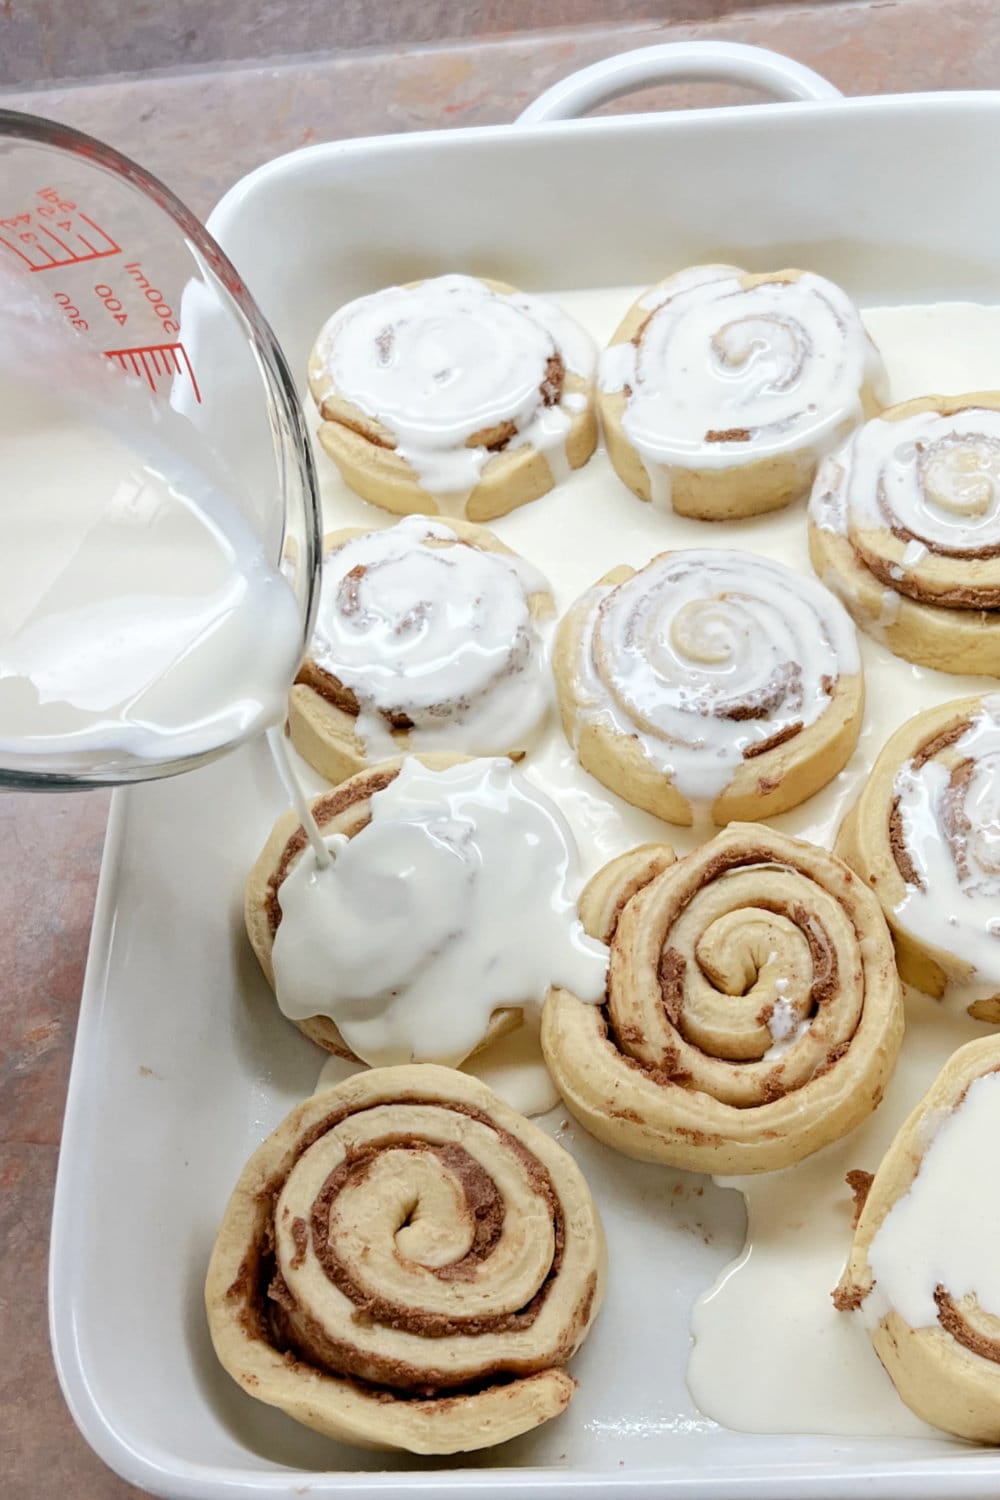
point(455, 395)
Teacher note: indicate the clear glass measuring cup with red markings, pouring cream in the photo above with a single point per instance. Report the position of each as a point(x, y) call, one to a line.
point(157, 322)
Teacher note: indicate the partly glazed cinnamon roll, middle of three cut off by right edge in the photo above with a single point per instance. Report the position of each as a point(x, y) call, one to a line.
point(926, 836)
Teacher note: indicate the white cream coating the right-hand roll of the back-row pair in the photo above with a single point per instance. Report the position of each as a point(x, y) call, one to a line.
point(783, 361)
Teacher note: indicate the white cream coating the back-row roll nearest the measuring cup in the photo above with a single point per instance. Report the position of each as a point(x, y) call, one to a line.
point(449, 359)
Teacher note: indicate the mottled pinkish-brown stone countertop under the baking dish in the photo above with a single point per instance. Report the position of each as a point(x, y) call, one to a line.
point(200, 131)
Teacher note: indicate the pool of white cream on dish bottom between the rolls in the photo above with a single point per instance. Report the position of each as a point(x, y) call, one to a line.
point(815, 1369)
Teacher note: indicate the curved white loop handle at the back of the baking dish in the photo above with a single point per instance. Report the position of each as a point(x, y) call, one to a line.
point(677, 62)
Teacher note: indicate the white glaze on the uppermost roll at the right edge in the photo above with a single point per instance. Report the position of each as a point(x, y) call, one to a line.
point(935, 479)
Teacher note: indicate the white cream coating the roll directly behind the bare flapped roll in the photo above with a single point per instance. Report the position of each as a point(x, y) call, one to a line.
point(669, 652)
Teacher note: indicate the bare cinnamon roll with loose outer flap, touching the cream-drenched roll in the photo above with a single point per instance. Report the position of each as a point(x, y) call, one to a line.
point(753, 1009)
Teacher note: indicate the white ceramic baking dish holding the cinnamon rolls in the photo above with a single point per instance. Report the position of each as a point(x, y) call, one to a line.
point(182, 1063)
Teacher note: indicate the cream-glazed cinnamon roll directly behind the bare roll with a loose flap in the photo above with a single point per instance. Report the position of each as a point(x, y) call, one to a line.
point(713, 682)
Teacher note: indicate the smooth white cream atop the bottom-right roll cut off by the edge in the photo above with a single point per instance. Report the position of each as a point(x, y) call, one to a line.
point(945, 1231)
